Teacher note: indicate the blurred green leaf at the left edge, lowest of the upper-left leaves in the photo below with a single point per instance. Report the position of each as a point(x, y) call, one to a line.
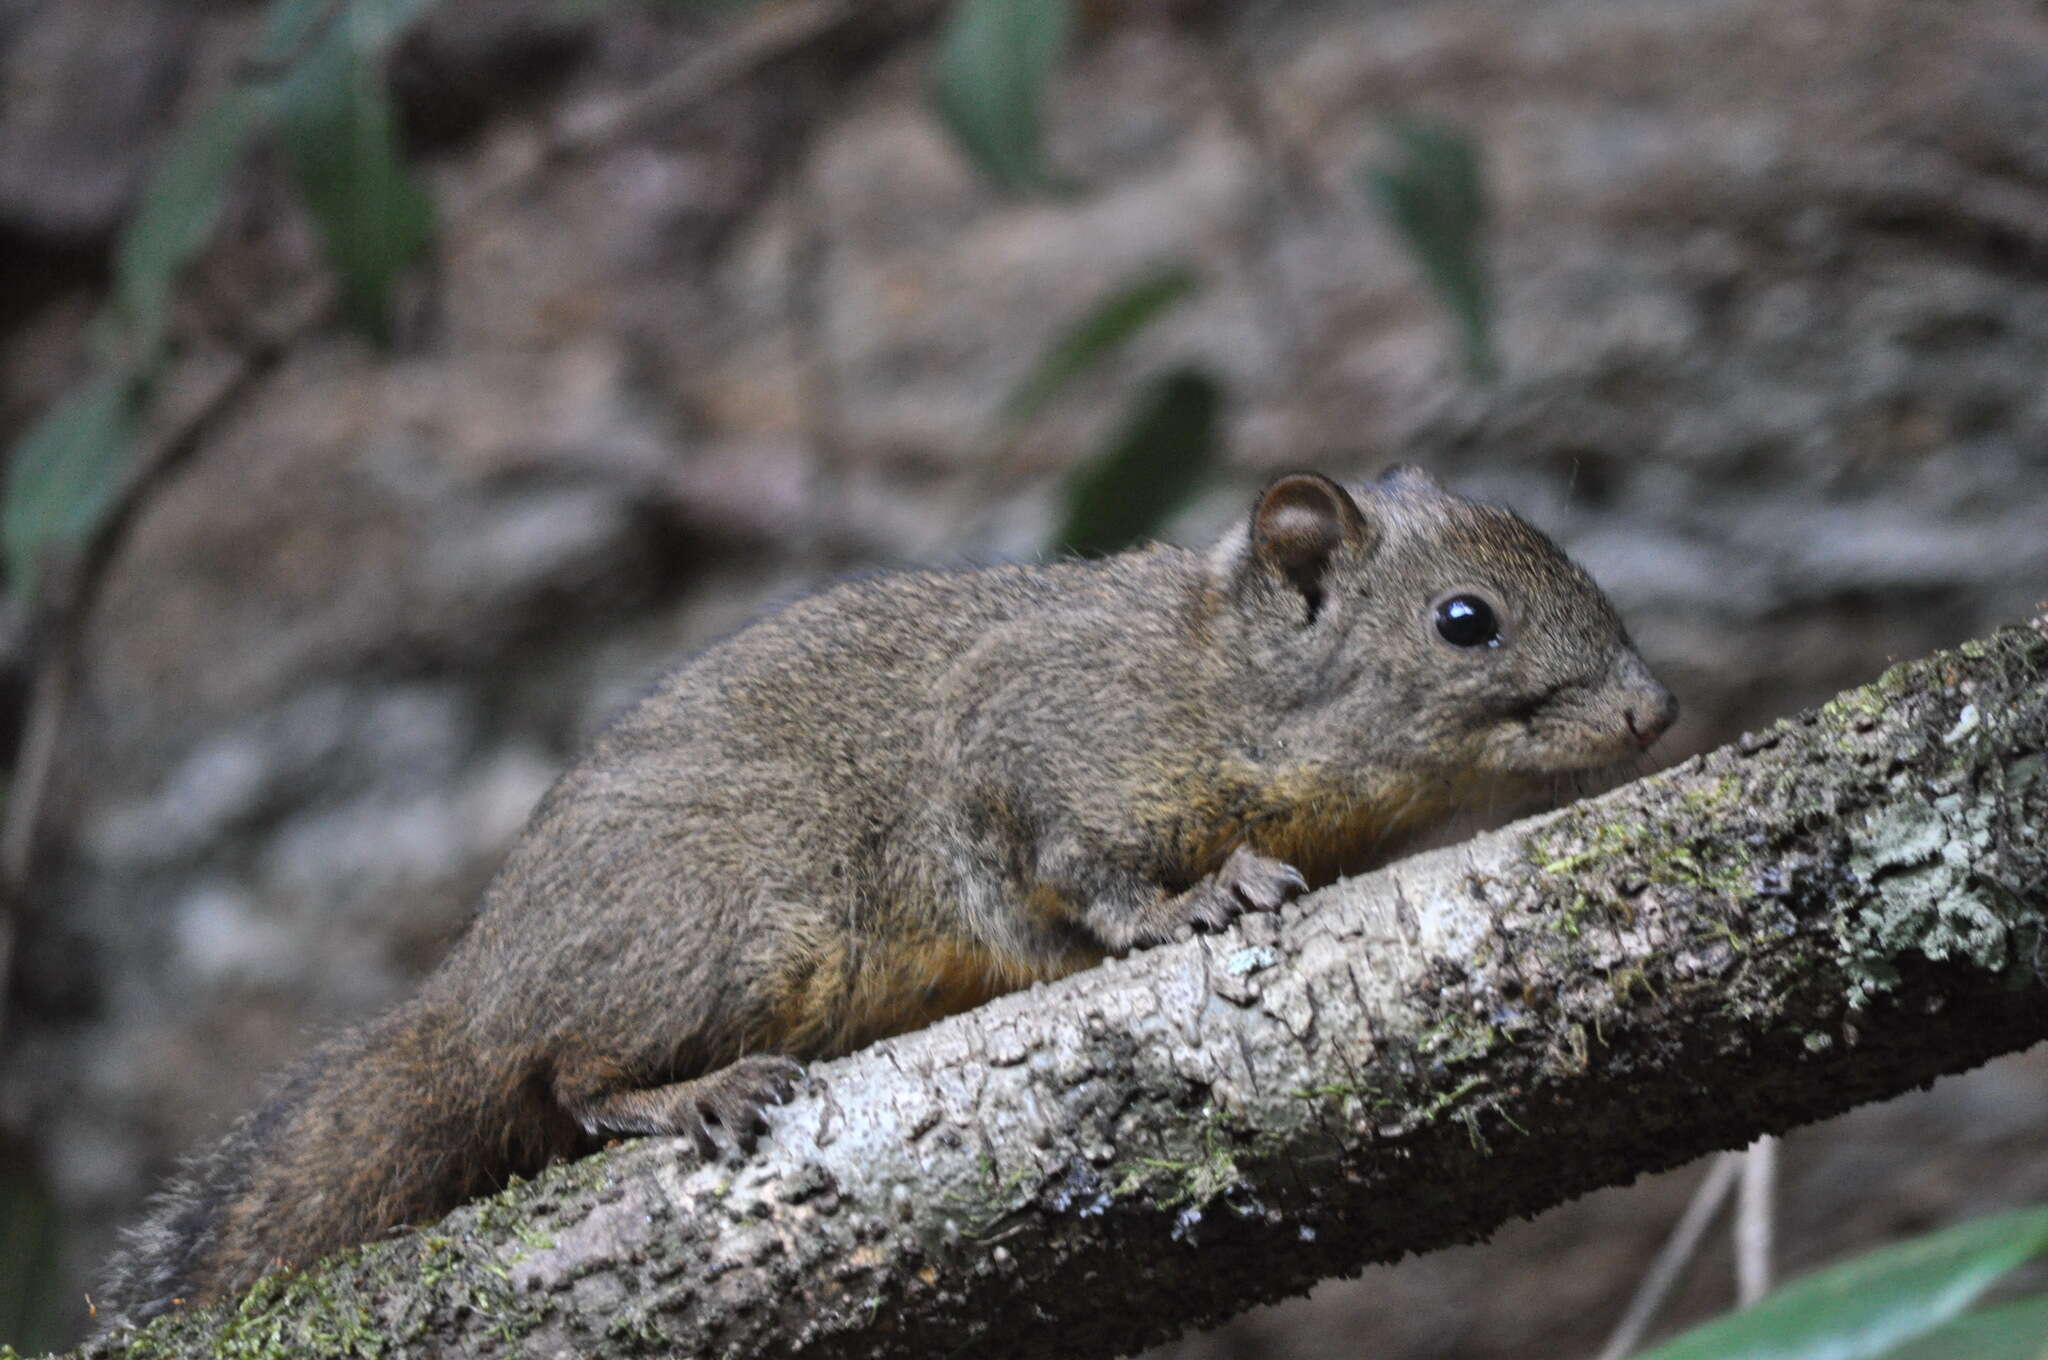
point(62, 474)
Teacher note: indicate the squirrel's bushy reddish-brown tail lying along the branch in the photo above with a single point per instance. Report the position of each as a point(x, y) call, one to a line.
point(392, 1123)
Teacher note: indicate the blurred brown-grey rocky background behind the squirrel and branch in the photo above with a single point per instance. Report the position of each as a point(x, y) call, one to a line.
point(392, 390)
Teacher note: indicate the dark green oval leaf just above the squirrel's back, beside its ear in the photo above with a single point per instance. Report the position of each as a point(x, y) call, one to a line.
point(1156, 462)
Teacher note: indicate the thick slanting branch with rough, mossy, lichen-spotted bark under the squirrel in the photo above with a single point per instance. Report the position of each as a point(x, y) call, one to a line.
point(1830, 912)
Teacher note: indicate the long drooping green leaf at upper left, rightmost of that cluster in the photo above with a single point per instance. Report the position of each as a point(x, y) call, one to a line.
point(341, 136)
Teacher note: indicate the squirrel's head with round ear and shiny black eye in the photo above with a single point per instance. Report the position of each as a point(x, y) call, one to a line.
point(1410, 628)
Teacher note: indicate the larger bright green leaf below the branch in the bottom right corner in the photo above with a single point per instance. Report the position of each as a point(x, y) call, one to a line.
point(1873, 1304)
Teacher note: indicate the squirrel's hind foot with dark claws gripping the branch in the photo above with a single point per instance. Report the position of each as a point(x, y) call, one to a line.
point(726, 1103)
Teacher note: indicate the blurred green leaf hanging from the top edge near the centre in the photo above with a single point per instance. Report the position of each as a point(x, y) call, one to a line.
point(994, 65)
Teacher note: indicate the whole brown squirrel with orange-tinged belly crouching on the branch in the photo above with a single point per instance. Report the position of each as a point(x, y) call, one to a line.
point(906, 796)
